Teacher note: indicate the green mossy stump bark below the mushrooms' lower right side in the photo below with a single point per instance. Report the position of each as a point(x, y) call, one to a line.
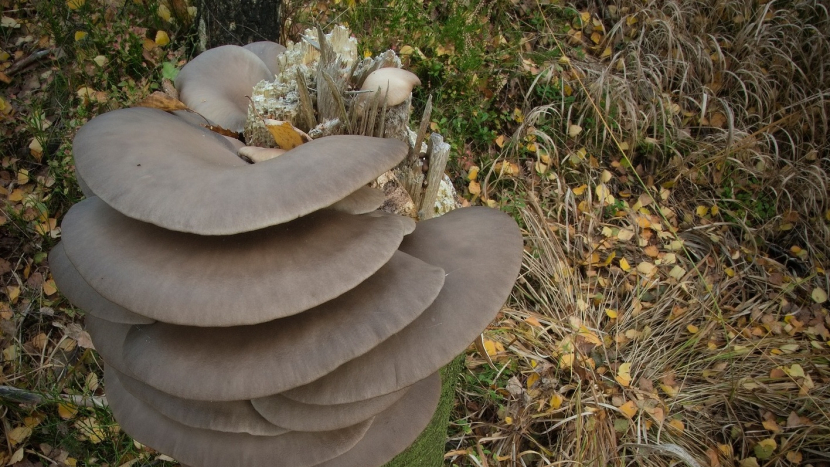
point(428, 448)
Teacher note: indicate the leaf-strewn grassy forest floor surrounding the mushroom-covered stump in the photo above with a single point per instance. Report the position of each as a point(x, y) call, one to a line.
point(667, 161)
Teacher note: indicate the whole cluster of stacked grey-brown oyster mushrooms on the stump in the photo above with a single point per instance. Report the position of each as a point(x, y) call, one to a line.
point(268, 314)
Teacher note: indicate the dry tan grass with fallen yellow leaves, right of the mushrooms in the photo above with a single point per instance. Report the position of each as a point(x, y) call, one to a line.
point(670, 309)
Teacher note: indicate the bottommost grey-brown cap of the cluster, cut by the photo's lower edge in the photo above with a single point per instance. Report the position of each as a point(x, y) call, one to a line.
point(207, 448)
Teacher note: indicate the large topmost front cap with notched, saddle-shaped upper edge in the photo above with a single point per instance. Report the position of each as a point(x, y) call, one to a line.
point(157, 168)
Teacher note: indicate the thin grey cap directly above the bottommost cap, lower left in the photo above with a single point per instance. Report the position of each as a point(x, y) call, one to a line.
point(229, 417)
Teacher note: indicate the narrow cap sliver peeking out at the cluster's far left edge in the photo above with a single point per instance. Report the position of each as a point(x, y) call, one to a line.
point(76, 289)
